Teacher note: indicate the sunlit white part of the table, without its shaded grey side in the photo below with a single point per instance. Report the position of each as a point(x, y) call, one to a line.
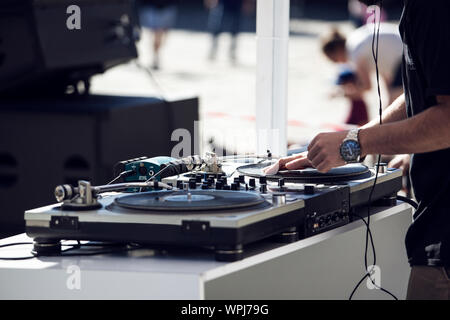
point(143, 274)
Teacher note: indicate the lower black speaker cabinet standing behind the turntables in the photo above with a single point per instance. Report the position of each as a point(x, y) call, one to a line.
point(50, 141)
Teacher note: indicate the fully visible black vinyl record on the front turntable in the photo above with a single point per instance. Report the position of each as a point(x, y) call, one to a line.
point(194, 200)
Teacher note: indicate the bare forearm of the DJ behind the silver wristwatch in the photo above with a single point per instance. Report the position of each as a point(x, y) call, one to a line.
point(425, 132)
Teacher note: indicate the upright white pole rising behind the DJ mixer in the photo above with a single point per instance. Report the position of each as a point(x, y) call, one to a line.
point(272, 30)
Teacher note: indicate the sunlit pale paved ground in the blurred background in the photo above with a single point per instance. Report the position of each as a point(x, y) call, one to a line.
point(227, 91)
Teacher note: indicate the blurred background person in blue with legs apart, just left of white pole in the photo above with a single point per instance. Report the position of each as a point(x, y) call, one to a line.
point(221, 11)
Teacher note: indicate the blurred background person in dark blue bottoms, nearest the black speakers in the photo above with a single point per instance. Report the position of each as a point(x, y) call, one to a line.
point(159, 16)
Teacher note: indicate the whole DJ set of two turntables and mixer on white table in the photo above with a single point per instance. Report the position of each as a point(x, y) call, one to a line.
point(224, 211)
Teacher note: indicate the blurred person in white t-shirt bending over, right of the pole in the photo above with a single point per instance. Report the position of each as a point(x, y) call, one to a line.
point(356, 50)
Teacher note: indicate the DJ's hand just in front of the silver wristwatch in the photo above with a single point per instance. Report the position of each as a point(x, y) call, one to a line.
point(324, 151)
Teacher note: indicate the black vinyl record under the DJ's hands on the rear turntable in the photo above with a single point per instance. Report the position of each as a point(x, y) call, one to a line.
point(309, 175)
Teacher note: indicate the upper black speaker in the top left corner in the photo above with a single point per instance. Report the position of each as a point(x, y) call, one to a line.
point(40, 54)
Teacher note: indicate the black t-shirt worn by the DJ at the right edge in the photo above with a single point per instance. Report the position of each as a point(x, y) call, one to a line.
point(425, 29)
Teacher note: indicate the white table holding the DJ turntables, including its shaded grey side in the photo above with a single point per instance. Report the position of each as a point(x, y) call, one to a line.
point(326, 266)
